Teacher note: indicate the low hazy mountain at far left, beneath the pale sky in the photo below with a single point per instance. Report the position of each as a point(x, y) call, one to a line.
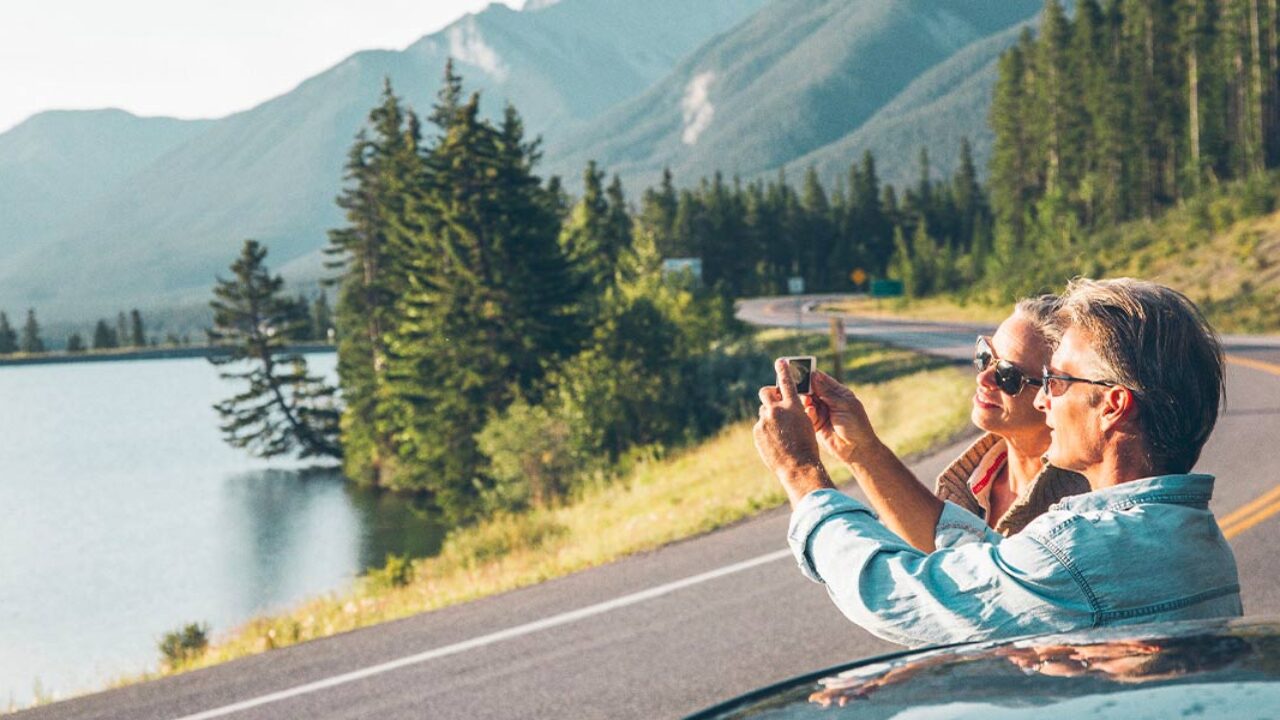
point(57, 163)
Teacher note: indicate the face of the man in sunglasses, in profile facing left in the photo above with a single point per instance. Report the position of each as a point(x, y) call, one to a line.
point(1073, 417)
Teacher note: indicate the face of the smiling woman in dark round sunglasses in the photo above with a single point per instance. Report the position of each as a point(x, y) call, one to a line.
point(996, 412)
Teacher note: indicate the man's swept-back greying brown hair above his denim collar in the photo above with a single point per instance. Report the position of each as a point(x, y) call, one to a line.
point(1155, 341)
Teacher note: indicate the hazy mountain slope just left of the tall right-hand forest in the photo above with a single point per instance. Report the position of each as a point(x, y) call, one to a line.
point(938, 111)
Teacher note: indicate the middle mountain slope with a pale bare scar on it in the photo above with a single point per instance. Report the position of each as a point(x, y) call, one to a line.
point(797, 78)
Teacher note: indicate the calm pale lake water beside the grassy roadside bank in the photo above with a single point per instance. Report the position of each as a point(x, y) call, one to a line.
point(124, 517)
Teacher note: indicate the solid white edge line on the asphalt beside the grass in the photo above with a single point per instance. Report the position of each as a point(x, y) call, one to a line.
point(563, 619)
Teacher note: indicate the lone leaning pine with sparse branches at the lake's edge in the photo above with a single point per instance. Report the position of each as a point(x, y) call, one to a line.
point(285, 409)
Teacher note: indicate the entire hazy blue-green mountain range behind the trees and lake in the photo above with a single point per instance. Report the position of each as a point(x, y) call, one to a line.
point(102, 211)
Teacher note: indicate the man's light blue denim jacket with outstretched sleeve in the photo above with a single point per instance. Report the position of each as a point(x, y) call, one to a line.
point(1142, 552)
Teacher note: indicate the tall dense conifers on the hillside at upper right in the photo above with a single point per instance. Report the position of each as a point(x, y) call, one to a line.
point(1119, 112)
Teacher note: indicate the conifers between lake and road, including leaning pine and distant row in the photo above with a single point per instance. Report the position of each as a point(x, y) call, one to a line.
point(500, 341)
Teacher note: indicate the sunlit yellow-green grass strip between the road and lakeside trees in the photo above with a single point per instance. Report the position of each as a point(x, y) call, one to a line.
point(917, 403)
